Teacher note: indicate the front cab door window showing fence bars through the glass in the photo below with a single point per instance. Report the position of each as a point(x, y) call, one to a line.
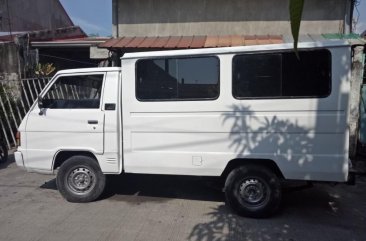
point(75, 92)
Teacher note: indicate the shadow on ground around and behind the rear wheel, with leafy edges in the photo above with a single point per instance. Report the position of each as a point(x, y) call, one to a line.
point(323, 213)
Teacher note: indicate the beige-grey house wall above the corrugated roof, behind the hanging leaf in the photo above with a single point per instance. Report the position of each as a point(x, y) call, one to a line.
point(223, 17)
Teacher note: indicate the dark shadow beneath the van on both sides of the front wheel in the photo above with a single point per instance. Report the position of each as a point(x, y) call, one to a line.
point(122, 187)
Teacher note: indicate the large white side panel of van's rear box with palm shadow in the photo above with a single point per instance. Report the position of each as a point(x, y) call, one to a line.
point(307, 138)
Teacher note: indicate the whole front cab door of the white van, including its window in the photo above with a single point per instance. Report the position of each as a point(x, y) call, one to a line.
point(70, 118)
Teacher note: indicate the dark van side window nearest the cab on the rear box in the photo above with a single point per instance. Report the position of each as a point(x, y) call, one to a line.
point(177, 78)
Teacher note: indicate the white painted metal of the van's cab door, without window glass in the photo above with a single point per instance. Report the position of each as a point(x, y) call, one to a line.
point(54, 130)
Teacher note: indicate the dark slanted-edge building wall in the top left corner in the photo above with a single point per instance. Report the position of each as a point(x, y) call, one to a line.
point(25, 15)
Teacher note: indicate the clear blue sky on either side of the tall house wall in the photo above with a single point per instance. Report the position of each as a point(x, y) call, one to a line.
point(95, 16)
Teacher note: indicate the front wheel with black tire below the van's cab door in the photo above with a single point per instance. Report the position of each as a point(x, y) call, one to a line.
point(80, 179)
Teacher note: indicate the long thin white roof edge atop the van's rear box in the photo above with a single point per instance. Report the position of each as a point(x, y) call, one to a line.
point(230, 50)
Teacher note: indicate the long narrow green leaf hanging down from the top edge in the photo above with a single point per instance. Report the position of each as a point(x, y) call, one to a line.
point(296, 7)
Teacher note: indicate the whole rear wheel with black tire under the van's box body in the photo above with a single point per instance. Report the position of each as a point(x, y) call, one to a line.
point(253, 191)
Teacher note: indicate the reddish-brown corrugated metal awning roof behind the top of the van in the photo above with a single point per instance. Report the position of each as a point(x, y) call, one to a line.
point(184, 42)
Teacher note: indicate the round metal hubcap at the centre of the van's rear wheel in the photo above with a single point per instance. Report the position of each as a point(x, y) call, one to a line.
point(252, 191)
